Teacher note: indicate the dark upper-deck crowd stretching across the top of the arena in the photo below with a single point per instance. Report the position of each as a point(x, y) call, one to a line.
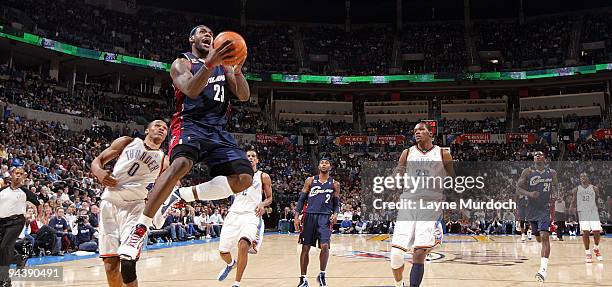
point(160, 34)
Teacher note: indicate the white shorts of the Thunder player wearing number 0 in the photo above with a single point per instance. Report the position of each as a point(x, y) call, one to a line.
point(116, 223)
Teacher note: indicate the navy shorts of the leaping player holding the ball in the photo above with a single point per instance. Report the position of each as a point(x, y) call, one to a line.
point(214, 146)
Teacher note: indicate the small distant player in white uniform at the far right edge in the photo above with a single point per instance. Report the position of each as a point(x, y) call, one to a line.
point(584, 198)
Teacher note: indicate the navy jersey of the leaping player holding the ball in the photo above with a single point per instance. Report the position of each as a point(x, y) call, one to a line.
point(211, 107)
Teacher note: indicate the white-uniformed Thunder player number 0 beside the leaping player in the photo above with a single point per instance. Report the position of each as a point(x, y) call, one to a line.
point(139, 163)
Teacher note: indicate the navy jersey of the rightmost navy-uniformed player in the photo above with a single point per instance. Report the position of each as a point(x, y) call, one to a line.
point(542, 183)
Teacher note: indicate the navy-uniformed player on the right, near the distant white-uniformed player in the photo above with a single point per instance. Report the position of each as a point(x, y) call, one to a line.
point(538, 183)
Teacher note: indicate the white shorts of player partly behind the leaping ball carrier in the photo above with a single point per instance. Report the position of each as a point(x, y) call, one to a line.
point(241, 225)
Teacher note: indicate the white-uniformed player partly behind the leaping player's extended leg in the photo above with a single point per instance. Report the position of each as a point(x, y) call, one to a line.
point(243, 226)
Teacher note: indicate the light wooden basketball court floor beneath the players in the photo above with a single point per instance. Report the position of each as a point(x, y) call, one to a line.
point(361, 260)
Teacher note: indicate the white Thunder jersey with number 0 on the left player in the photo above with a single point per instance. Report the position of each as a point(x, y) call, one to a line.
point(137, 167)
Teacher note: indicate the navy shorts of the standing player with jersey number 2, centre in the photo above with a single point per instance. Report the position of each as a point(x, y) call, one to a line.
point(316, 229)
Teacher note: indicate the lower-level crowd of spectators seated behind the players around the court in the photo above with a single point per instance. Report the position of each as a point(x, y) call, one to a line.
point(57, 159)
